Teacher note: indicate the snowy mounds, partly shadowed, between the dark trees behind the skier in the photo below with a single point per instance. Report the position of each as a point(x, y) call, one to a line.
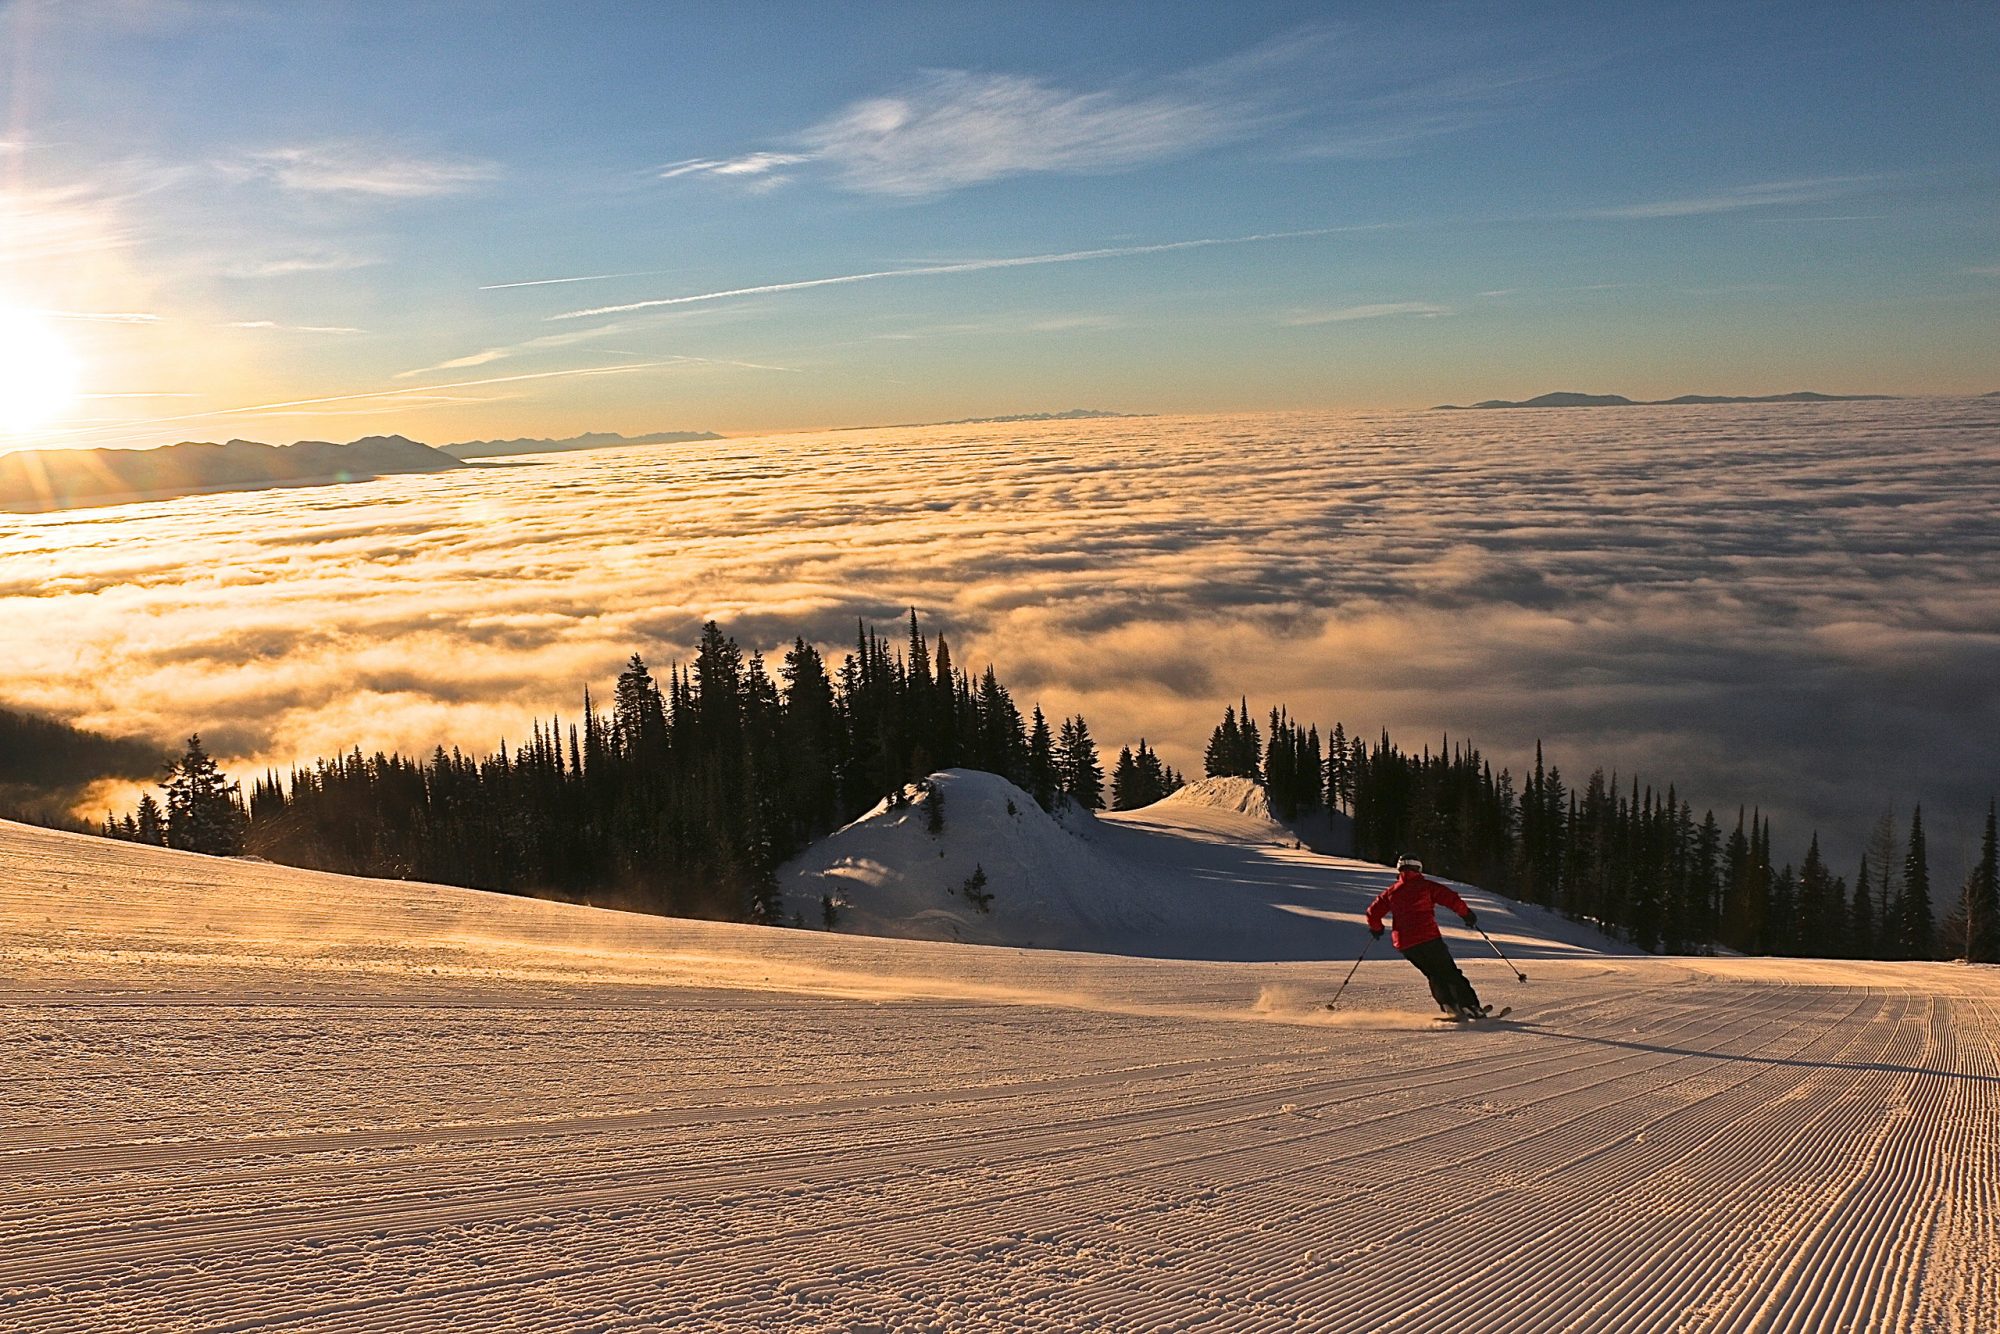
point(1207, 873)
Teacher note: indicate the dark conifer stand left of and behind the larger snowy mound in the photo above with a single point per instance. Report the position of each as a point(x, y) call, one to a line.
point(683, 799)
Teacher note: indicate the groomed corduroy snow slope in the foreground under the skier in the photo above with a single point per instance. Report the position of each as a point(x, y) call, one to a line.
point(243, 1097)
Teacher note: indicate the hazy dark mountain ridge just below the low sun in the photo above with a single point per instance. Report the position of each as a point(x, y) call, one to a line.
point(37, 481)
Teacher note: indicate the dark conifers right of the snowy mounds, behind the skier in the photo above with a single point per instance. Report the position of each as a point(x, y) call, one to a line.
point(1633, 861)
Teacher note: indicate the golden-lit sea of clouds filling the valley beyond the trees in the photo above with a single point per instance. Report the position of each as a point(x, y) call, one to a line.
point(1795, 607)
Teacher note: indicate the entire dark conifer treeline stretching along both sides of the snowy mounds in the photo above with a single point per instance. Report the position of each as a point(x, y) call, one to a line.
point(689, 795)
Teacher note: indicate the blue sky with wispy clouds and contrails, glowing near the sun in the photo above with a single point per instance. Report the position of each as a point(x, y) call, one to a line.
point(297, 221)
